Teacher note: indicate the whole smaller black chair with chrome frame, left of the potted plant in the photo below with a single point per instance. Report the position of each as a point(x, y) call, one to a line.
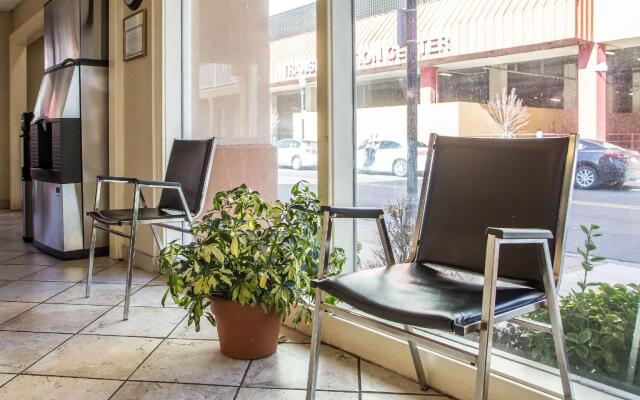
point(183, 195)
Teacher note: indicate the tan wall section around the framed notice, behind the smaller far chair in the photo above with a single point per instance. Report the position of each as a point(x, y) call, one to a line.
point(135, 90)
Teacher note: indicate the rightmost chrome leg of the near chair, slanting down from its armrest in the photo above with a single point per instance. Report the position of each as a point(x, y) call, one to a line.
point(556, 324)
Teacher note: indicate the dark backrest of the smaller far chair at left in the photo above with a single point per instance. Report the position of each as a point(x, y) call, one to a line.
point(190, 165)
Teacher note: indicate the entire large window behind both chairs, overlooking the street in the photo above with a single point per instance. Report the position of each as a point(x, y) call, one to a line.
point(249, 78)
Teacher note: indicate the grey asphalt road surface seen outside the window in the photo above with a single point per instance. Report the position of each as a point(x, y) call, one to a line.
point(617, 212)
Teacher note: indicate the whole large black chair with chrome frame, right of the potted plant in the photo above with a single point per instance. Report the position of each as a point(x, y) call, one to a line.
point(489, 207)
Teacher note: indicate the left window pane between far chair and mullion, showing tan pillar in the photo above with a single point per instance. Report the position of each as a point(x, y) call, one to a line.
point(249, 80)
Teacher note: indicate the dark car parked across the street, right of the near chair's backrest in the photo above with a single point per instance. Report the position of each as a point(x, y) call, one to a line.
point(602, 164)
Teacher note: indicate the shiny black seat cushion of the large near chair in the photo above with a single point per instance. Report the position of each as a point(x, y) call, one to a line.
point(420, 295)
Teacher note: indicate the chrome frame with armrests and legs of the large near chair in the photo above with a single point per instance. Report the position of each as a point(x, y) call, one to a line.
point(496, 238)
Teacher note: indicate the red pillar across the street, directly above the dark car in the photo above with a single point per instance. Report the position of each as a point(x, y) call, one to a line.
point(592, 91)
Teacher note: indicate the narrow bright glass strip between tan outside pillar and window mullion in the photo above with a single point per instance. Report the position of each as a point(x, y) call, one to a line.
point(292, 29)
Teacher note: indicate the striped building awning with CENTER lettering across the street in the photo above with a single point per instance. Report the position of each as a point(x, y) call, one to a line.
point(447, 30)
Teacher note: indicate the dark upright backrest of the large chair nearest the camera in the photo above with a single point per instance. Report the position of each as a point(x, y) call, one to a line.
point(475, 183)
